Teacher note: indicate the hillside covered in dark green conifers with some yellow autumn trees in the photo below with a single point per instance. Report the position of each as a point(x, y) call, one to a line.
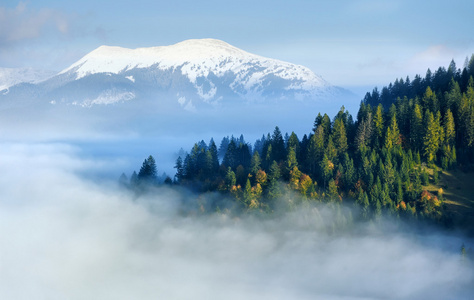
point(402, 140)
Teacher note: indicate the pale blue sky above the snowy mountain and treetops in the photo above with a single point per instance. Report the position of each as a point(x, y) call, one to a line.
point(349, 43)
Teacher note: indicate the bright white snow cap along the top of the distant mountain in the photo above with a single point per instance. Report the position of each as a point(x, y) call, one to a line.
point(198, 58)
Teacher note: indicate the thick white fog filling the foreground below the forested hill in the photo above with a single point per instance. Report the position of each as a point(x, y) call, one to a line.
point(64, 235)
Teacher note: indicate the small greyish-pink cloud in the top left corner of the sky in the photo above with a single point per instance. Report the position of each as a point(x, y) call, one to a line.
point(23, 24)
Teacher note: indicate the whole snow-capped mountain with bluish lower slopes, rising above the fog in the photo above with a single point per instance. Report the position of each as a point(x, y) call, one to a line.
point(189, 74)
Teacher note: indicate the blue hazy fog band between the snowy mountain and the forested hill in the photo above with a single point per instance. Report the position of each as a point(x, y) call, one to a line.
point(130, 132)
